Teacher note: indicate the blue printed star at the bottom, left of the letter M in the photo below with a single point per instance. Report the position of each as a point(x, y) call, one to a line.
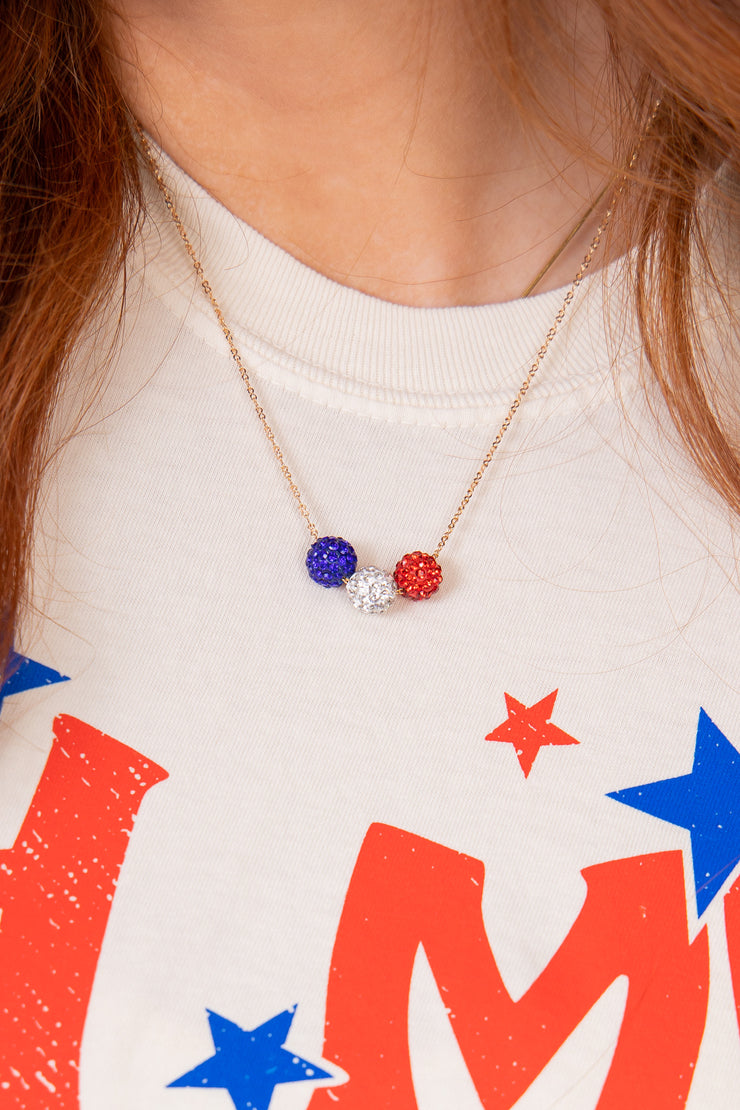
point(251, 1063)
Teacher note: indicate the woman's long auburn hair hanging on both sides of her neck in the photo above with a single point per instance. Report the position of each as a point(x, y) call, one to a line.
point(70, 199)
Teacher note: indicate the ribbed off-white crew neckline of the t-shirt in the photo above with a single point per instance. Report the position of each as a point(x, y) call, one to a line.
point(290, 320)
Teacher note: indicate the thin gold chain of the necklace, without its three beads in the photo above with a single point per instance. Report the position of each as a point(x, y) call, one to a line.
point(206, 286)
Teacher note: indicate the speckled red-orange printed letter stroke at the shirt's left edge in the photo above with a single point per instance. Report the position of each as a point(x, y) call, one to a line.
point(57, 885)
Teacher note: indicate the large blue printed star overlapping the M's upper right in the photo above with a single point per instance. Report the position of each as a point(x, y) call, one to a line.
point(707, 803)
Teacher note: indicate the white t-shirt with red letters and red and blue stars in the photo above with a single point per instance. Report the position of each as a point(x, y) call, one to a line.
point(475, 852)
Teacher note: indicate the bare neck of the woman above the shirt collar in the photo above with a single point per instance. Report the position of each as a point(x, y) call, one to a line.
point(371, 142)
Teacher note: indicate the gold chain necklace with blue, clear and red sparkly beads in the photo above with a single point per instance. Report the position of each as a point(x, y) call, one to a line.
point(332, 561)
